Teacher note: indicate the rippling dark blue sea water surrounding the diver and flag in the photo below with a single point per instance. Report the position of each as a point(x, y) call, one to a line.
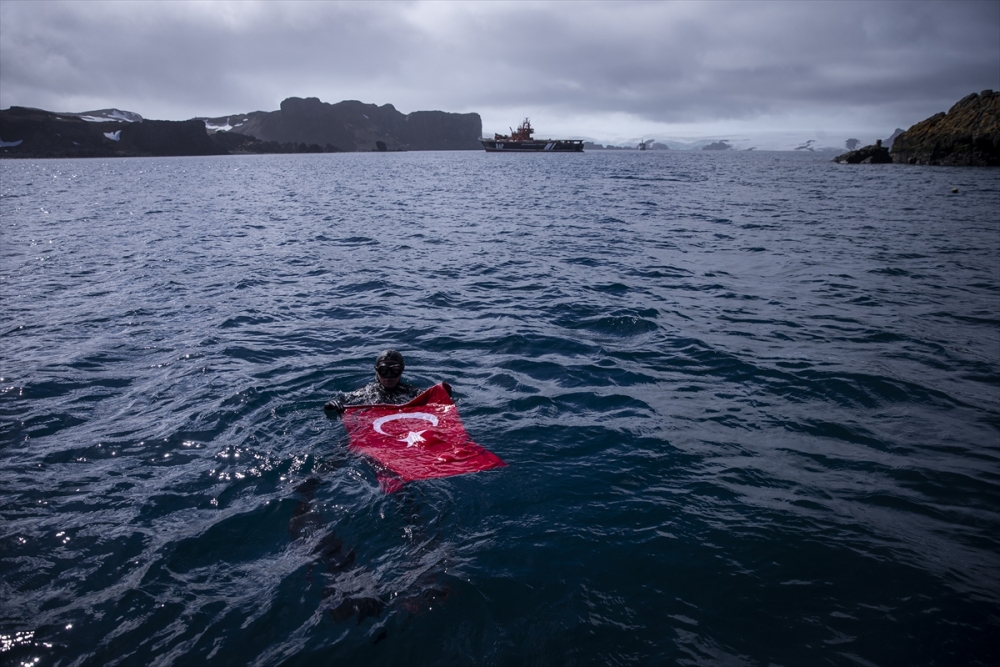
point(750, 405)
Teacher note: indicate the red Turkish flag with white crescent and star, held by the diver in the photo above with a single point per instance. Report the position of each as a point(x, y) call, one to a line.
point(422, 439)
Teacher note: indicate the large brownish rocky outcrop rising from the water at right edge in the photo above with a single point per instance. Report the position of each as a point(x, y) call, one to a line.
point(968, 135)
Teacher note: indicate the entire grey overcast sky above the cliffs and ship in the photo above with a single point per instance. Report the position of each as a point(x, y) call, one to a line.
point(608, 71)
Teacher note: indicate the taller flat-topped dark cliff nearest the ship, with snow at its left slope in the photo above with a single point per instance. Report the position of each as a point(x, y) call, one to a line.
point(355, 126)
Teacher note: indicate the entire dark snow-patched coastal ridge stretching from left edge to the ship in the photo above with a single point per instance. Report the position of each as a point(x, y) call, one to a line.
point(300, 126)
